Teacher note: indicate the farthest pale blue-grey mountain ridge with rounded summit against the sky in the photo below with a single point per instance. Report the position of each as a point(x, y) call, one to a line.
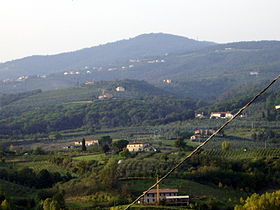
point(155, 44)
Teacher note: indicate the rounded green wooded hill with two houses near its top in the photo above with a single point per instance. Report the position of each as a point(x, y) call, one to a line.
point(139, 104)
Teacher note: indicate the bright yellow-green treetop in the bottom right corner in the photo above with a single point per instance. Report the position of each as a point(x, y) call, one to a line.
point(265, 201)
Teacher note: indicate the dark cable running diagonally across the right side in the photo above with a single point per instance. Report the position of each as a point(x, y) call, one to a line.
point(196, 150)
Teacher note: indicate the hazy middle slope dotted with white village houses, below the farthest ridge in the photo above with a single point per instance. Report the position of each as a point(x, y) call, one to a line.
point(205, 73)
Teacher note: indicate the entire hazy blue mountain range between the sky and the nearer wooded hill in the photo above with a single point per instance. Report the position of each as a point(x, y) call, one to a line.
point(198, 70)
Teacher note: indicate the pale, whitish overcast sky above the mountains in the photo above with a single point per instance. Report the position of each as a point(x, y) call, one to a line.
point(45, 27)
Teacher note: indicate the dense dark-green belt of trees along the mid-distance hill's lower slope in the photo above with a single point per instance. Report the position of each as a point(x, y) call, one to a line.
point(111, 113)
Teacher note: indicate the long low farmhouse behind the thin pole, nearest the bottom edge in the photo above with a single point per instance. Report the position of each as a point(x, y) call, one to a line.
point(168, 195)
